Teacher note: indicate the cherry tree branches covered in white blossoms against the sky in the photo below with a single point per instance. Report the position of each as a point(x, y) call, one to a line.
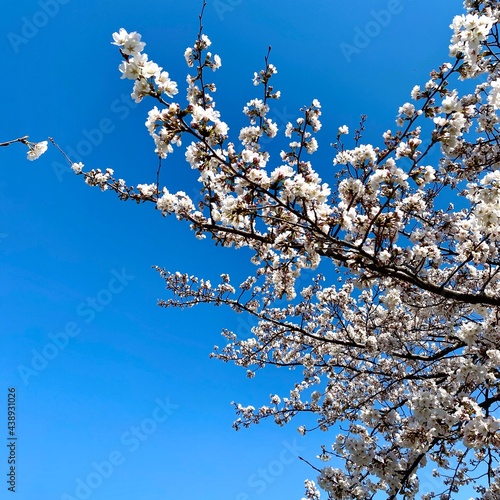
point(401, 357)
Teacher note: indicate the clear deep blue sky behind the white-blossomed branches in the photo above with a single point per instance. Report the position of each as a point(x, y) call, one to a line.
point(117, 398)
